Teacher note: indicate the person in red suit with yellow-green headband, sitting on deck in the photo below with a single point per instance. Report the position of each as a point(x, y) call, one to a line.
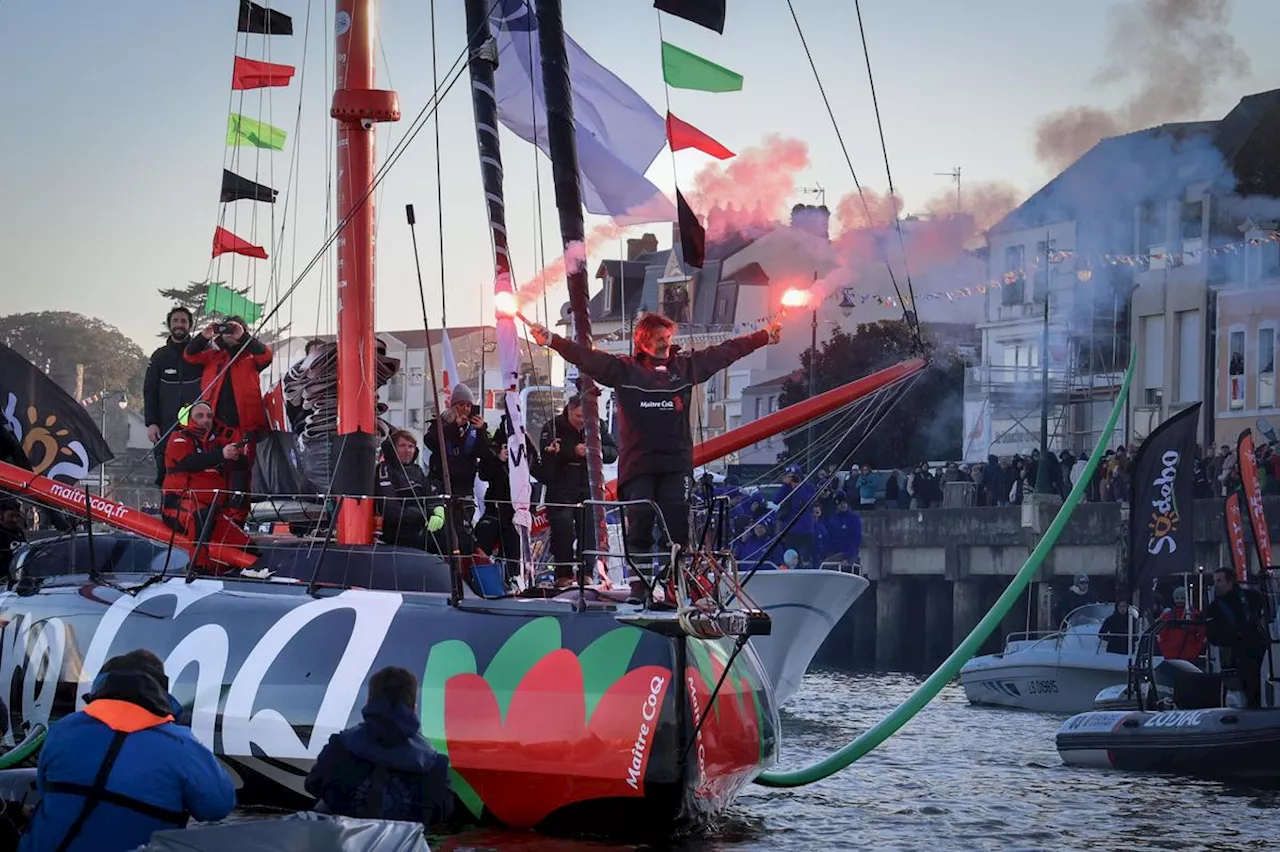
point(195, 460)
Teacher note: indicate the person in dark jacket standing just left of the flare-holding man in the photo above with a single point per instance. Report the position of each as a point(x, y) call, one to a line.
point(564, 445)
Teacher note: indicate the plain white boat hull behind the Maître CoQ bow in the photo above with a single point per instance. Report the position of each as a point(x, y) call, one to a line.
point(804, 607)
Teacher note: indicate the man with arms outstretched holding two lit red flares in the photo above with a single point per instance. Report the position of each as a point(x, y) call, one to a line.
point(653, 395)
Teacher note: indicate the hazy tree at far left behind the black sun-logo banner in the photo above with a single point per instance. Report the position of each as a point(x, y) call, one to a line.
point(58, 341)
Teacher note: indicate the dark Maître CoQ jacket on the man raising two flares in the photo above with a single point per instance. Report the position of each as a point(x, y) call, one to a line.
point(653, 398)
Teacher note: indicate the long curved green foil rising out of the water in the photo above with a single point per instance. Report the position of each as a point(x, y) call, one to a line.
point(927, 691)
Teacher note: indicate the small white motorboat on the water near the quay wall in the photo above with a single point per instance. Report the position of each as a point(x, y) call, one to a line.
point(1058, 672)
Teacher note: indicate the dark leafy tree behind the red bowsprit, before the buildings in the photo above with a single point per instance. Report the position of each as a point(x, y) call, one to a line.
point(926, 424)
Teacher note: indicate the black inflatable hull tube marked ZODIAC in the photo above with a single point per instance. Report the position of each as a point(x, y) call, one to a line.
point(1205, 744)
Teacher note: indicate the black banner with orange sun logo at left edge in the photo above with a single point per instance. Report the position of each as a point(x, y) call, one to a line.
point(58, 436)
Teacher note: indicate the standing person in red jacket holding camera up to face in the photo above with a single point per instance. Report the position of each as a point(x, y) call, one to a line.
point(232, 360)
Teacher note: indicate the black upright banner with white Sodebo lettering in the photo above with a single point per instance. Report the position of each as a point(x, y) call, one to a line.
point(1163, 507)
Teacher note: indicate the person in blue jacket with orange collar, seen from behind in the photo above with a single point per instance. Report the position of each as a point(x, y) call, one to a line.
point(121, 769)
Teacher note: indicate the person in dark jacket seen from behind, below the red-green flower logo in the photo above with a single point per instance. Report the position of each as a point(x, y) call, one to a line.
point(385, 768)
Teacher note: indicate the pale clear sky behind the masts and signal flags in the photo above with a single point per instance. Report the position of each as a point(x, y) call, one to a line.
point(118, 116)
